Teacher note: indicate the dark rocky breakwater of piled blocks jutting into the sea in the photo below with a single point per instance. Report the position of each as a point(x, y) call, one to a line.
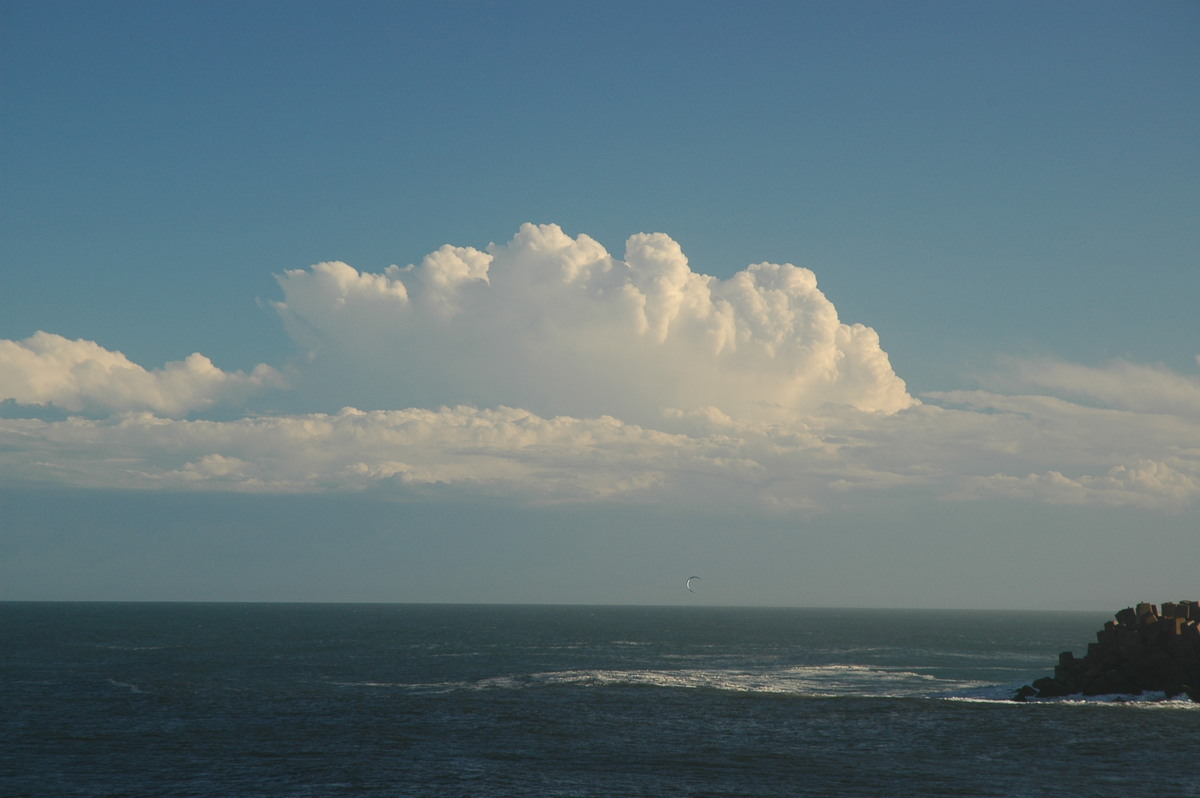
point(1144, 650)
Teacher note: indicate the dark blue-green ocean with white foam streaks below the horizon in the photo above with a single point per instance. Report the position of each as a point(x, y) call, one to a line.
point(455, 700)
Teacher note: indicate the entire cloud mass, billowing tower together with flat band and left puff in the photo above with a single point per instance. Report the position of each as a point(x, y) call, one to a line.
point(547, 371)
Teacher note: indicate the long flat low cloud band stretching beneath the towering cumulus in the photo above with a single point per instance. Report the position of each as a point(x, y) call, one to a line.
point(979, 446)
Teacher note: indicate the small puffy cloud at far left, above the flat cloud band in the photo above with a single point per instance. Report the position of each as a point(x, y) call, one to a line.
point(82, 376)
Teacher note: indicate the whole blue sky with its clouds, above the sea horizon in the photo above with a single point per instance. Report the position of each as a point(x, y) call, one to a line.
point(856, 304)
